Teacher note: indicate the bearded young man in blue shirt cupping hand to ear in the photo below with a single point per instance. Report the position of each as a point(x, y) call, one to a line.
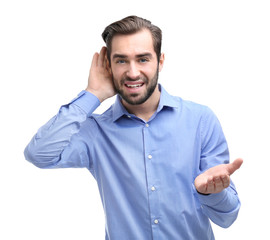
point(161, 163)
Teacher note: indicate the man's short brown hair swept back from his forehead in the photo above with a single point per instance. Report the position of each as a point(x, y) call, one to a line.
point(129, 25)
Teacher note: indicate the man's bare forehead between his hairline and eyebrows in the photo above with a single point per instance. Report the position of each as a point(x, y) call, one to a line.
point(135, 43)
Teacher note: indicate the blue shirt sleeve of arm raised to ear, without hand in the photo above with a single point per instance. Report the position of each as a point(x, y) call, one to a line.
point(52, 146)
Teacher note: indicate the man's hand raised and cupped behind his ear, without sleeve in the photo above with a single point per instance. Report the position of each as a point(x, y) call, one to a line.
point(100, 78)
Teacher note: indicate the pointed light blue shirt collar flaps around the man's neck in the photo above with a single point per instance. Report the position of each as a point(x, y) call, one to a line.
point(166, 100)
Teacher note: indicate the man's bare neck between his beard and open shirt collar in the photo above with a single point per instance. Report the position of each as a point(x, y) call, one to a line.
point(146, 109)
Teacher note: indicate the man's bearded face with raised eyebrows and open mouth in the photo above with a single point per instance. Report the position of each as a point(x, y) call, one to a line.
point(135, 66)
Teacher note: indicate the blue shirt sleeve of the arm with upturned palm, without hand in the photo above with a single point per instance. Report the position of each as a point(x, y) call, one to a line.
point(222, 208)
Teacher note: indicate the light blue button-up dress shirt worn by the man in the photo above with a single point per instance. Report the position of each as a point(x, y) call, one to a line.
point(145, 171)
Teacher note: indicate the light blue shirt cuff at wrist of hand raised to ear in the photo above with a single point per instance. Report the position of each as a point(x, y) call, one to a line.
point(87, 101)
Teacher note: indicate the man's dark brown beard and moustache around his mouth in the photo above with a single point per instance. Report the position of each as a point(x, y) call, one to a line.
point(135, 98)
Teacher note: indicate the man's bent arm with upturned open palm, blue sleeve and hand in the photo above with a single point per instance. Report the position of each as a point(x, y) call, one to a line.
point(216, 193)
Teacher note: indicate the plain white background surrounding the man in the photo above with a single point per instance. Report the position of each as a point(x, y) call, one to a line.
point(217, 53)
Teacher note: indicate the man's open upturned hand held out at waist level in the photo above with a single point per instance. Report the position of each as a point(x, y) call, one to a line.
point(217, 178)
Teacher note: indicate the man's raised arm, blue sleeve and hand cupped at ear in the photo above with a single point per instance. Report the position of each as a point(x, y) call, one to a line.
point(57, 143)
